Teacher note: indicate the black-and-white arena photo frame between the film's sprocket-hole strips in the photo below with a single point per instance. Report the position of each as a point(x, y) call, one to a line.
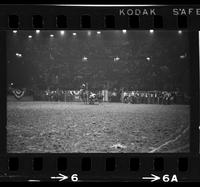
point(98, 91)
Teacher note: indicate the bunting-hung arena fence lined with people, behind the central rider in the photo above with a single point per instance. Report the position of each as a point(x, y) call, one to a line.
point(134, 97)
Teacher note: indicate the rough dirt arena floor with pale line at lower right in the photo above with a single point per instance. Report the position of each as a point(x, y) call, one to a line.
point(58, 127)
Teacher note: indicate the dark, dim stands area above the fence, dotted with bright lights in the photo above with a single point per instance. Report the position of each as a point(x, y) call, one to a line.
point(57, 62)
